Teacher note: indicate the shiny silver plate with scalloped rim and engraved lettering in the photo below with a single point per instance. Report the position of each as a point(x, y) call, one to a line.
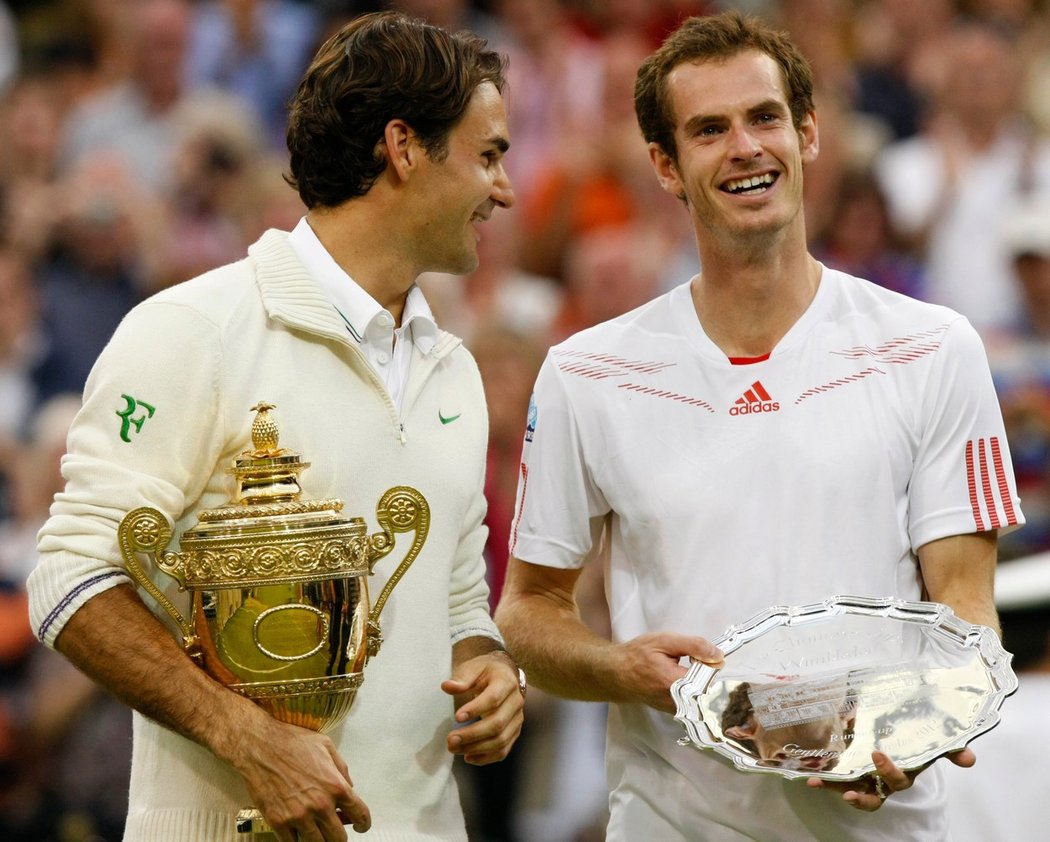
point(811, 691)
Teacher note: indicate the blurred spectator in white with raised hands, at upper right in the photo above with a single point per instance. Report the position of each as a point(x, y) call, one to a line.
point(948, 186)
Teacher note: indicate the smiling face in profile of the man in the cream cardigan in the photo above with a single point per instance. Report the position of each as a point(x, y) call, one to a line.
point(460, 191)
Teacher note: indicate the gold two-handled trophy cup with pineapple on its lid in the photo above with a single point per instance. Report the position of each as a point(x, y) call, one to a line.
point(280, 595)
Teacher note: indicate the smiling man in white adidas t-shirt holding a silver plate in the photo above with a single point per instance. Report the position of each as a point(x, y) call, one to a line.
point(771, 433)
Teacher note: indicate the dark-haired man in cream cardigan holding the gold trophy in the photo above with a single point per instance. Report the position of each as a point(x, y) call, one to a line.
point(397, 137)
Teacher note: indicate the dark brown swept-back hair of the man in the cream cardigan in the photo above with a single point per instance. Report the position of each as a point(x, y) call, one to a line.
point(380, 68)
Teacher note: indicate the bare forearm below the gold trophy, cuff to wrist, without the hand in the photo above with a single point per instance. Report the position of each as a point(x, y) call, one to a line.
point(117, 641)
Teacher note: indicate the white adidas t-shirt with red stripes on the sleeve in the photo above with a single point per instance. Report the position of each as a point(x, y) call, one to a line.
point(873, 429)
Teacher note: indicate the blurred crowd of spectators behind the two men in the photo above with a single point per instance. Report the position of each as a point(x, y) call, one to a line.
point(142, 142)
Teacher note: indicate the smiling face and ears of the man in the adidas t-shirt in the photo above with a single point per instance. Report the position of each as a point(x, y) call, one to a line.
point(740, 157)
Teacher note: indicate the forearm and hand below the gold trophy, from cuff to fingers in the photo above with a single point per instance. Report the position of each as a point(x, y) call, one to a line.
point(295, 776)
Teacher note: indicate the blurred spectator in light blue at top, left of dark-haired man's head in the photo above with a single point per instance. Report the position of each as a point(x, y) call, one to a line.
point(257, 50)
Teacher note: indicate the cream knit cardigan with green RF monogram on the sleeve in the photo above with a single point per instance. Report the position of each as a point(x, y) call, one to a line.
point(166, 411)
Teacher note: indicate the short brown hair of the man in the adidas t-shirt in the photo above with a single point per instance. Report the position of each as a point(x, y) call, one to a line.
point(716, 38)
